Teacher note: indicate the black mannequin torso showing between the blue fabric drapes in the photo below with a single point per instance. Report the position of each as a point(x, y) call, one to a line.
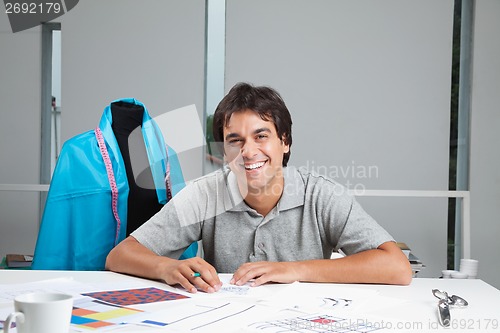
point(142, 199)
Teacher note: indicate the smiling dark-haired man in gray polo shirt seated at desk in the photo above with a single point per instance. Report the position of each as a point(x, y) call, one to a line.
point(258, 218)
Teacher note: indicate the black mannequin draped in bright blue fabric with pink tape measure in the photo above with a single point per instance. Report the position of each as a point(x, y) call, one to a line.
point(80, 222)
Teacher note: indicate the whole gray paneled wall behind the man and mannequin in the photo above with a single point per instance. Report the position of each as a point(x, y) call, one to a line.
point(367, 83)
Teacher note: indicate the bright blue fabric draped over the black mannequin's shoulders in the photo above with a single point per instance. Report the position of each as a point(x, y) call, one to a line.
point(78, 228)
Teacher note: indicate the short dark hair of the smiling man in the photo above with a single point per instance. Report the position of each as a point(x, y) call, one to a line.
point(264, 101)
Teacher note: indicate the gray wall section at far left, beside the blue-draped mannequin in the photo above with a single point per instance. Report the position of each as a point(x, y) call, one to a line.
point(19, 135)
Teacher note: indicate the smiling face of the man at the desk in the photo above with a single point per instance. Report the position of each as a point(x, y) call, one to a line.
point(254, 153)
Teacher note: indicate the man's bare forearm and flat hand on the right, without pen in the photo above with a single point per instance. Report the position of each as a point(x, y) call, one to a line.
point(387, 265)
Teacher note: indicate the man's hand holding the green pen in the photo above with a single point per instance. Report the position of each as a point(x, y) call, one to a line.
point(183, 272)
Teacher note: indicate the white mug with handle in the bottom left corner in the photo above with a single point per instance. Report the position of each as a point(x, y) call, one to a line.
point(41, 313)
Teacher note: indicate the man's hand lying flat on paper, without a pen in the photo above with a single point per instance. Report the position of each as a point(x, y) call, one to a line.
point(263, 271)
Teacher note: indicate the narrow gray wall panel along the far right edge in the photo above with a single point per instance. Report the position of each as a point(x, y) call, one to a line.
point(485, 141)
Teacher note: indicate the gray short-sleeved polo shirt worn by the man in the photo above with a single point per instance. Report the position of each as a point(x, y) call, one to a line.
point(314, 216)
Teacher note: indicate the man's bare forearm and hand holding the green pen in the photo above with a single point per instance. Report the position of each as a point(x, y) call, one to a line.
point(131, 257)
